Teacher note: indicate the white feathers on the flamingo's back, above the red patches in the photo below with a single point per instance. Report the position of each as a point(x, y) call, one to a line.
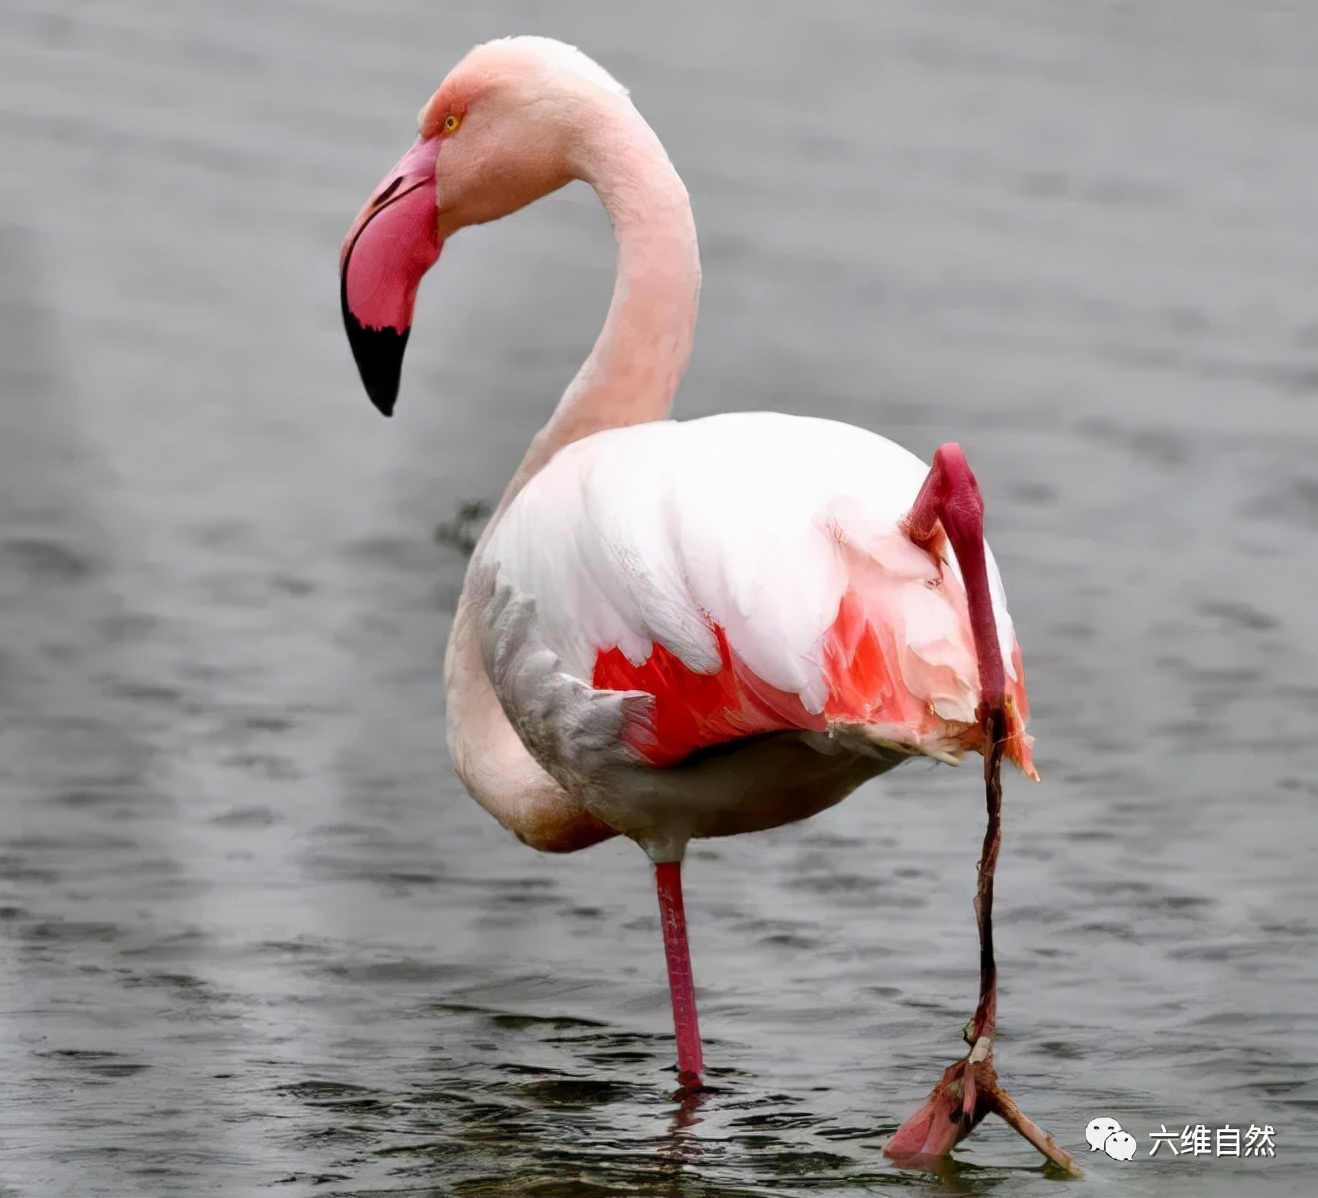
point(654, 533)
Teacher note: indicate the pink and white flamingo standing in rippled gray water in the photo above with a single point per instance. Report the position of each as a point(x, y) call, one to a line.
point(674, 629)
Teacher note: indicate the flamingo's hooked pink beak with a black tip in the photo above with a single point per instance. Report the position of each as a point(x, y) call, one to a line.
point(391, 246)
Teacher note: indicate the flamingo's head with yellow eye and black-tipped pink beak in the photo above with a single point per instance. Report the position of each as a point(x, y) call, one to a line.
point(500, 134)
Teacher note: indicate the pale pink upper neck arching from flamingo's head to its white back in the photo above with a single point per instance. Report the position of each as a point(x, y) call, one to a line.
point(641, 354)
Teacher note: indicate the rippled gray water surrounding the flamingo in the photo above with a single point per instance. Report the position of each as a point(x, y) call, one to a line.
point(255, 936)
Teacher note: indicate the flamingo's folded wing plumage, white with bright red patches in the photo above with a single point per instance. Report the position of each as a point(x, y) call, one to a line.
point(732, 577)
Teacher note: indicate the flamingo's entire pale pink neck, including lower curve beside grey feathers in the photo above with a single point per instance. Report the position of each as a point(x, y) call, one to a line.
point(629, 379)
